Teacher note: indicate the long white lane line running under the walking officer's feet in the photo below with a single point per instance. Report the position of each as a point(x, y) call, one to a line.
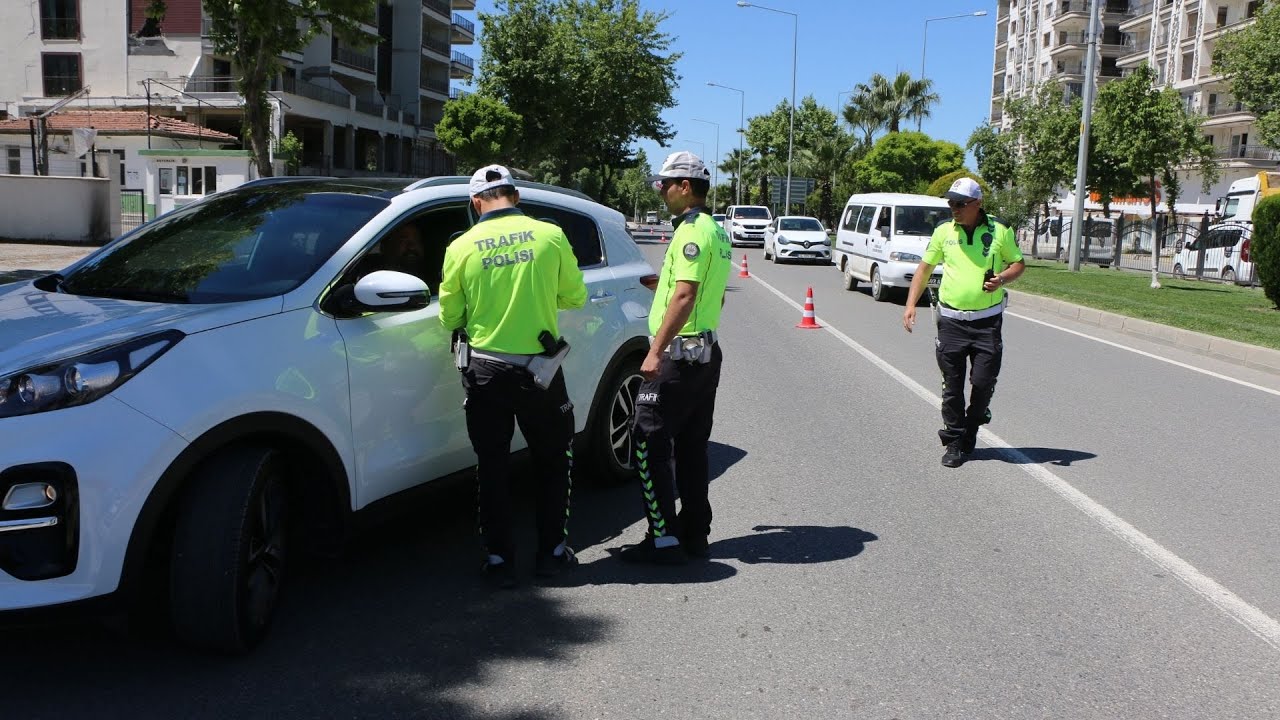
point(1236, 608)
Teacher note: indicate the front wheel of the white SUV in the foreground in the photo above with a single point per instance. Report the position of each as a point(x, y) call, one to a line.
point(230, 550)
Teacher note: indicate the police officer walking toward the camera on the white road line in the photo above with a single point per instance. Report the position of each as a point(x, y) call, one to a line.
point(980, 257)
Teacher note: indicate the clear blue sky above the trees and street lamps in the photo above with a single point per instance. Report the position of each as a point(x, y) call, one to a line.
point(842, 43)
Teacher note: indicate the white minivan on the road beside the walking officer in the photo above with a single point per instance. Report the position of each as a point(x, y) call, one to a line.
point(883, 238)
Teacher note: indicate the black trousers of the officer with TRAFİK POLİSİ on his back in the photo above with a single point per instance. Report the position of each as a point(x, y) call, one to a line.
point(499, 397)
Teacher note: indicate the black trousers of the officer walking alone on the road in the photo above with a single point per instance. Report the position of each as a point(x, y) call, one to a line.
point(979, 345)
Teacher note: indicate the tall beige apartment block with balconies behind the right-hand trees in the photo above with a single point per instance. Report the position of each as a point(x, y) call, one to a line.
point(1048, 40)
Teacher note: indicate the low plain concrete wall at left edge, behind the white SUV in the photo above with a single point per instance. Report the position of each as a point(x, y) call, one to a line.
point(60, 208)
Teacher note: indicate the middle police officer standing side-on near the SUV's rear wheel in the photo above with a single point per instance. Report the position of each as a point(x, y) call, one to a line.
point(678, 399)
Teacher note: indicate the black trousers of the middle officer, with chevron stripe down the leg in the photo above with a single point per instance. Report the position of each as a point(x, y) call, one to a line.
point(673, 425)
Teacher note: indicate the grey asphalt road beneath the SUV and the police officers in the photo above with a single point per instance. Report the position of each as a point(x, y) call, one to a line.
point(1110, 553)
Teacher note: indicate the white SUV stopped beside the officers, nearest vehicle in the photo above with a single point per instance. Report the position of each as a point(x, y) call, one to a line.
point(194, 404)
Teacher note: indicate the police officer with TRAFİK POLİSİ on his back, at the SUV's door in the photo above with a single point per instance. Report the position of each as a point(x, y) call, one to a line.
point(504, 282)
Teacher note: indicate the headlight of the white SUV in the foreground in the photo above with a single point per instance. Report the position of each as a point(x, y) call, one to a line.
point(81, 380)
